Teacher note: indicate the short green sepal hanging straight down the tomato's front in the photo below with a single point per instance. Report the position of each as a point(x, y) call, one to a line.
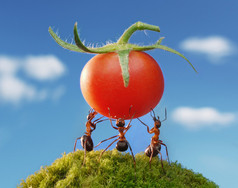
point(124, 63)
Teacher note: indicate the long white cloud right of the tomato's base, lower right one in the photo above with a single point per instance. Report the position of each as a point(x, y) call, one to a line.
point(202, 117)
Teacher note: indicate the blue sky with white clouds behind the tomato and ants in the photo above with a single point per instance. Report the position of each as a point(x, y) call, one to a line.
point(42, 110)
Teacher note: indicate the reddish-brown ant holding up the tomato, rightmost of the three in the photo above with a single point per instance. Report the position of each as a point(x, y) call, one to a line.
point(155, 146)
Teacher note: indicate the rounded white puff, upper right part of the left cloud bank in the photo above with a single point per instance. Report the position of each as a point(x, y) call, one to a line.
point(44, 67)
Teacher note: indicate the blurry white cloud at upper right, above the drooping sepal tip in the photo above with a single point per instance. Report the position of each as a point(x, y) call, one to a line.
point(215, 47)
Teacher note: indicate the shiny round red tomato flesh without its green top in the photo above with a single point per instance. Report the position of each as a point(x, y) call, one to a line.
point(102, 85)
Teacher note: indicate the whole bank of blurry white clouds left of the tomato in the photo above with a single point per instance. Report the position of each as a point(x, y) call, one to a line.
point(14, 89)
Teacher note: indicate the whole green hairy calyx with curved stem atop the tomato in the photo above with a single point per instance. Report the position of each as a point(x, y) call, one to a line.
point(121, 47)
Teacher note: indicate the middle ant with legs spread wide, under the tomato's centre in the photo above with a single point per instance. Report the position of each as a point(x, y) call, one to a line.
point(122, 144)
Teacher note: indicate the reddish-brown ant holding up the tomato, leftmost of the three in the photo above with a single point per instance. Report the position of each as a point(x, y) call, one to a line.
point(86, 139)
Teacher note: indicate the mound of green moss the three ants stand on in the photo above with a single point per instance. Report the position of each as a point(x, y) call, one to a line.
point(115, 170)
